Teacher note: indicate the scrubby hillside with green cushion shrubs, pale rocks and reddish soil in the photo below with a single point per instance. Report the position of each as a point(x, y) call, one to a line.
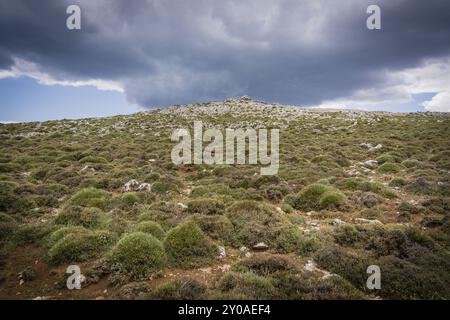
point(354, 189)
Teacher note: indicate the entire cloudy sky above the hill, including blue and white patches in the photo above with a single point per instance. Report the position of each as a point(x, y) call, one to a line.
point(152, 53)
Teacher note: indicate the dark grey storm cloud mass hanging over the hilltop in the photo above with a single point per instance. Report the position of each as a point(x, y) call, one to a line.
point(164, 52)
